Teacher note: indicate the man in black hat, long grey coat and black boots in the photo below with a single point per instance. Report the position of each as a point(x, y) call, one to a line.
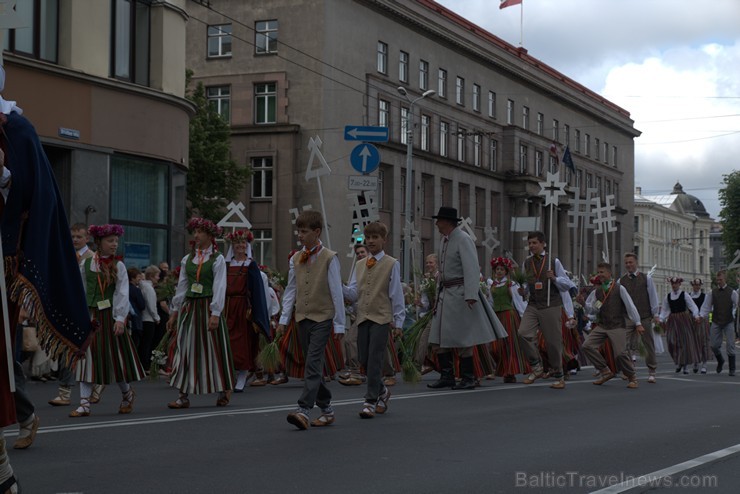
point(462, 318)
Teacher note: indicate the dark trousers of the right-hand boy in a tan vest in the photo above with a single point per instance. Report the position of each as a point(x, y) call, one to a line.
point(372, 339)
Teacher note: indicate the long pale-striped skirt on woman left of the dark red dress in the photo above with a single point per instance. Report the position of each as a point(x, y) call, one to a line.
point(202, 362)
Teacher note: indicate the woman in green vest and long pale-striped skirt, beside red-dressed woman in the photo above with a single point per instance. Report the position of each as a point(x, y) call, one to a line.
point(202, 363)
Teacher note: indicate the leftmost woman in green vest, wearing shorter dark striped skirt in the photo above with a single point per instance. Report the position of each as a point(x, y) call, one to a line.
point(111, 357)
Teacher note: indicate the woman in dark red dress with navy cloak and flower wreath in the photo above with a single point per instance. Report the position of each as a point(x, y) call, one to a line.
point(246, 306)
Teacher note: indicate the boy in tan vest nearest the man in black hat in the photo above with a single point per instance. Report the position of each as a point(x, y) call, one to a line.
point(376, 287)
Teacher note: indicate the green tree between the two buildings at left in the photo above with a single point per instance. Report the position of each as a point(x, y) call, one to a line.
point(214, 179)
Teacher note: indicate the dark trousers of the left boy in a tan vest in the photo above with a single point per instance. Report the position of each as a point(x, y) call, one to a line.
point(313, 337)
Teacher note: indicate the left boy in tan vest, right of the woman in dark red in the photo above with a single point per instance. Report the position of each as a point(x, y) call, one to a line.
point(315, 292)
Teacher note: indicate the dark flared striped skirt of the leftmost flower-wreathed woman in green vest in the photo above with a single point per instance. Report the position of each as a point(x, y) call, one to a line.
point(109, 358)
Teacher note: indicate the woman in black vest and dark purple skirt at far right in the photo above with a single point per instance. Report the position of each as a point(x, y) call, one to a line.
point(676, 314)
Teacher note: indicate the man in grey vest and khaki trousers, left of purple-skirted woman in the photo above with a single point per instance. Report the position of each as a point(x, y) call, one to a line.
point(642, 291)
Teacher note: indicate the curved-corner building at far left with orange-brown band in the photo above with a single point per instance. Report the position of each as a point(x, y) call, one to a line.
point(103, 82)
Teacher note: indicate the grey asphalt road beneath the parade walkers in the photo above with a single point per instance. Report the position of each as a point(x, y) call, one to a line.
point(679, 435)
